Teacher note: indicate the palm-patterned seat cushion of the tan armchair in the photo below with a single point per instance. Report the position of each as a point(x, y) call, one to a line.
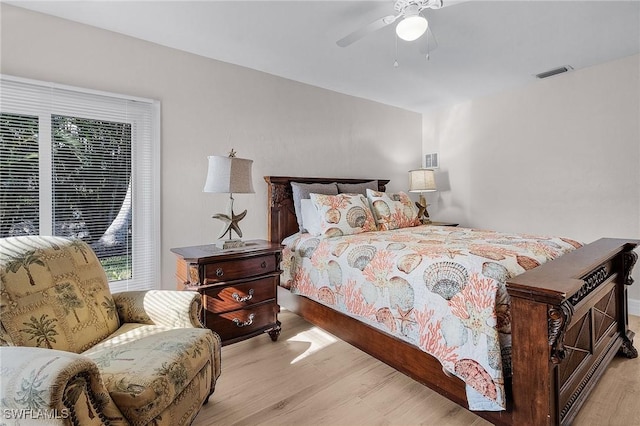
point(144, 367)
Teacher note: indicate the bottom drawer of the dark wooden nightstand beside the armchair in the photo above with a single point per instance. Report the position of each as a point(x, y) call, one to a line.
point(234, 324)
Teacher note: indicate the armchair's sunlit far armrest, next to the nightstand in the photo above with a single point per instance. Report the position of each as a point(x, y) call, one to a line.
point(170, 308)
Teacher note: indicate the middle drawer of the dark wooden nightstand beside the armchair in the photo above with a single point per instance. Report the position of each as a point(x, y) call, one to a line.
point(226, 298)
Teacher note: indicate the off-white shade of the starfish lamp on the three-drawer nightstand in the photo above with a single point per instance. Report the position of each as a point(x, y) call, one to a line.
point(229, 175)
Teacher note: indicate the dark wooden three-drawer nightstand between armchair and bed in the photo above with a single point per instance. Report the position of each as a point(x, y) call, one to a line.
point(238, 287)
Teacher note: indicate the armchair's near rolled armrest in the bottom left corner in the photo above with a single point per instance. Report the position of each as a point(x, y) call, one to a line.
point(61, 387)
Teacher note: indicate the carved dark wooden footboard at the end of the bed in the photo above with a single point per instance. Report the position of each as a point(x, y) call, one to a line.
point(569, 320)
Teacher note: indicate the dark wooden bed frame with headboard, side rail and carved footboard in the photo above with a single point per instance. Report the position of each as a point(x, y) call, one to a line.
point(568, 319)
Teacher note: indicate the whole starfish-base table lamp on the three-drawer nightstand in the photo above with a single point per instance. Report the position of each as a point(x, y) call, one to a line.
point(229, 175)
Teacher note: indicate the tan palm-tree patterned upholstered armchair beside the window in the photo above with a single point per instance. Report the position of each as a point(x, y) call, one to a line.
point(73, 353)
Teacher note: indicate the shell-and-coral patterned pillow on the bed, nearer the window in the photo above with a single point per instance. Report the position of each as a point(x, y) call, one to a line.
point(343, 214)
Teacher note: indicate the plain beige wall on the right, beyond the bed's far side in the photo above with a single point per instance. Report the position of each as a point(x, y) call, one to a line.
point(560, 156)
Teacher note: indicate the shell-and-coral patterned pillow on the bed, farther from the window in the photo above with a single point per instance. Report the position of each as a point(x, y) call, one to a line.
point(393, 211)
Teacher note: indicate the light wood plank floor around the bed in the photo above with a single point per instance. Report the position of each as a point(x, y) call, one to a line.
point(309, 377)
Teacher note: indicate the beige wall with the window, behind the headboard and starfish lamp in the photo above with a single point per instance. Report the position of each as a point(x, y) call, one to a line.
point(208, 107)
